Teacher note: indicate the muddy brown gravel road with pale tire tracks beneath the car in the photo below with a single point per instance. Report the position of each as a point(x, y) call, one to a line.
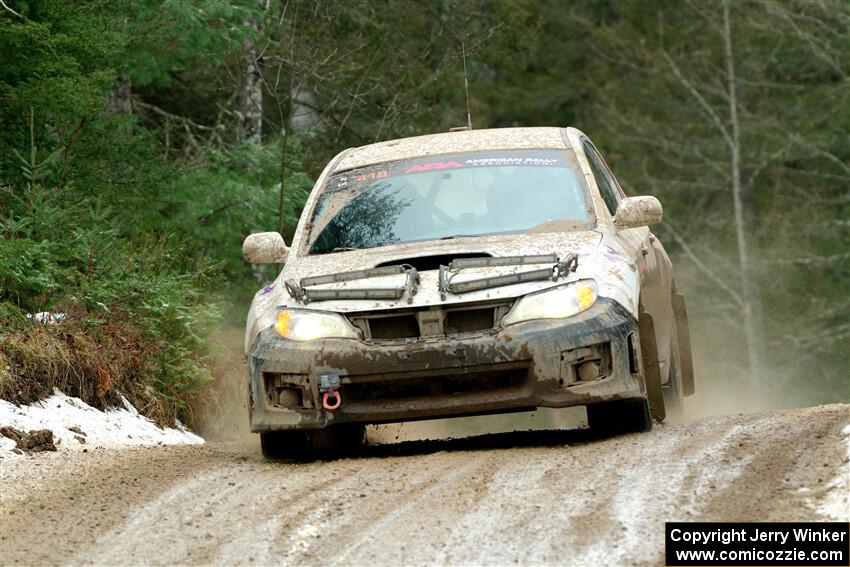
point(550, 497)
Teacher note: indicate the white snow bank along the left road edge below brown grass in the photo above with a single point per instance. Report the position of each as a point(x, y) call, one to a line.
point(114, 427)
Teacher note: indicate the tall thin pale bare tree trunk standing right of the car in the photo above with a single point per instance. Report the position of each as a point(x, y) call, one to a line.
point(747, 294)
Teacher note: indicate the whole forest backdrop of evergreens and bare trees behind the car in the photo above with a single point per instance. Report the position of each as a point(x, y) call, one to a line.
point(141, 141)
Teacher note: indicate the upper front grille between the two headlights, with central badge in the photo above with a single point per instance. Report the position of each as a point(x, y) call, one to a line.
point(430, 322)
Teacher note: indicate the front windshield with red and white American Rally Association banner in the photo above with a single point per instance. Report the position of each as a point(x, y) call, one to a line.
point(447, 196)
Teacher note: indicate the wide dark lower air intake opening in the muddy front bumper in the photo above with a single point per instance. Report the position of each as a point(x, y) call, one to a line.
point(374, 388)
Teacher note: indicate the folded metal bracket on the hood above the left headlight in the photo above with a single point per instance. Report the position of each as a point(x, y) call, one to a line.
point(300, 291)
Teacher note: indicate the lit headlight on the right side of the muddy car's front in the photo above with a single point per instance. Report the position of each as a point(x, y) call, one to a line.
point(563, 301)
